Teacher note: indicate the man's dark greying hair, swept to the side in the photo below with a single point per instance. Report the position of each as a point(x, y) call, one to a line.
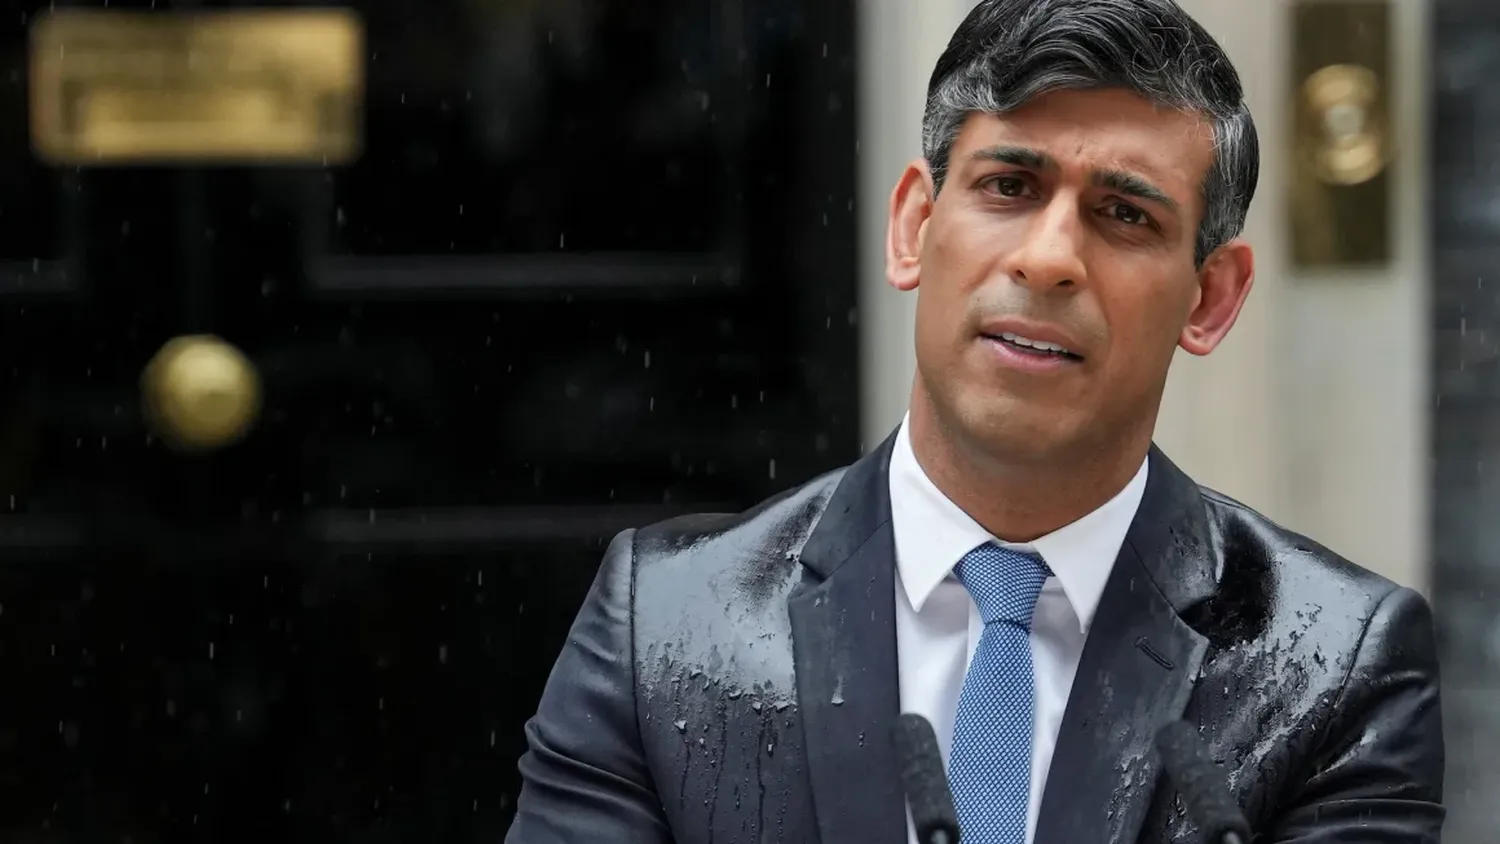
point(1009, 52)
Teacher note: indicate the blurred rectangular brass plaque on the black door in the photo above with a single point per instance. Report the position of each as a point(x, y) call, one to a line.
point(113, 88)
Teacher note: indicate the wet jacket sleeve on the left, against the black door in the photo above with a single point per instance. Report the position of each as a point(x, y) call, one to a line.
point(584, 774)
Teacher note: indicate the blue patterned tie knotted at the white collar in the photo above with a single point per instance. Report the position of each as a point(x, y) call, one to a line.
point(992, 737)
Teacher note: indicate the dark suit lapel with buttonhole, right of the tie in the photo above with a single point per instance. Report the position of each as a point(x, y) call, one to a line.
point(1138, 671)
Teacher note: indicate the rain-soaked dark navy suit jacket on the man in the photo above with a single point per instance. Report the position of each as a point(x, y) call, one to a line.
point(733, 678)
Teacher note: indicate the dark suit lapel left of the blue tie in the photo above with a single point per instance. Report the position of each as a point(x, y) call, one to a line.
point(844, 635)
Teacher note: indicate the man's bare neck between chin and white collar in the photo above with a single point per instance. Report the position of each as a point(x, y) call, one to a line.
point(1021, 500)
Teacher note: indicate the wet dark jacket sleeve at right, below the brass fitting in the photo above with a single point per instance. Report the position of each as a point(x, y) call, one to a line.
point(1382, 776)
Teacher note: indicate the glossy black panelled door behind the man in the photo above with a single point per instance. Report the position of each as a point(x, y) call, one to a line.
point(595, 268)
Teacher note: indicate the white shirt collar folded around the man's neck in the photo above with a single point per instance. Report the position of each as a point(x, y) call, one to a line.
point(932, 536)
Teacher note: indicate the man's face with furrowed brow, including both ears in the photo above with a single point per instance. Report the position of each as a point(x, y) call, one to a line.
point(1055, 272)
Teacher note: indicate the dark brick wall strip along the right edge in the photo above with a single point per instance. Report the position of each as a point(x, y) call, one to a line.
point(1466, 412)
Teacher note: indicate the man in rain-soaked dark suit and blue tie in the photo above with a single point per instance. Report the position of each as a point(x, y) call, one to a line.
point(1018, 563)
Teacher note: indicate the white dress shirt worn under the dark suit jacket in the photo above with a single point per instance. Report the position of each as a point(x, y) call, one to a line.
point(938, 626)
